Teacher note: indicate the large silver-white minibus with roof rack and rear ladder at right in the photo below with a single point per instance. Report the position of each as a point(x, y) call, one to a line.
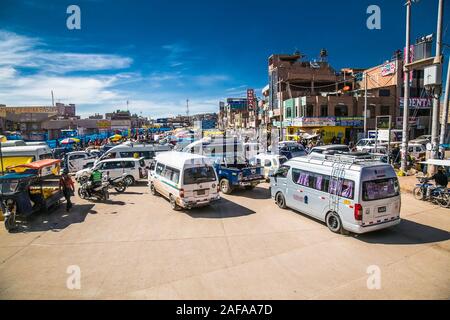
point(348, 192)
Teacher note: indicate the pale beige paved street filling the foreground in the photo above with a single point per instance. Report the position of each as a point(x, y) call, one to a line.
point(244, 247)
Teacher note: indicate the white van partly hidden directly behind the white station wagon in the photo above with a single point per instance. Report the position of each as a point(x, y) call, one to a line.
point(129, 150)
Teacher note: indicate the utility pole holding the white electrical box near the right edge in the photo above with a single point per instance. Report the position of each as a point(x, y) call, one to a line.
point(435, 115)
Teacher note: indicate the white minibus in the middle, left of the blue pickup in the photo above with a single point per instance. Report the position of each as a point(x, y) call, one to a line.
point(187, 180)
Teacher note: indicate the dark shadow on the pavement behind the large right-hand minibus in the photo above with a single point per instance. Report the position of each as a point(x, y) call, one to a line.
point(407, 232)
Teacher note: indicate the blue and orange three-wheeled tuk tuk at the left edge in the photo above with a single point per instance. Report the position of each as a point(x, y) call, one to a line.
point(28, 189)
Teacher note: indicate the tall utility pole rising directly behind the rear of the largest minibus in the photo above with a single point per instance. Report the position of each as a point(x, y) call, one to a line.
point(405, 135)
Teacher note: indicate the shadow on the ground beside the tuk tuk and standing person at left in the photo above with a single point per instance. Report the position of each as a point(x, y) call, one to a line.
point(55, 220)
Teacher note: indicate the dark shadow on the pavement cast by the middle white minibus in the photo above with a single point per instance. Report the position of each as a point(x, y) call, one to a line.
point(222, 209)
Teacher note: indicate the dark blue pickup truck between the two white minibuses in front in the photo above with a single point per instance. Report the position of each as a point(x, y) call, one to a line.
point(237, 172)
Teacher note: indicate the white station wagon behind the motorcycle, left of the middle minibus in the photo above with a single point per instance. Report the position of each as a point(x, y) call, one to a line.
point(133, 169)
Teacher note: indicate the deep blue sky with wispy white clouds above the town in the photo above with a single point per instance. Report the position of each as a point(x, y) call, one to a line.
point(156, 54)
